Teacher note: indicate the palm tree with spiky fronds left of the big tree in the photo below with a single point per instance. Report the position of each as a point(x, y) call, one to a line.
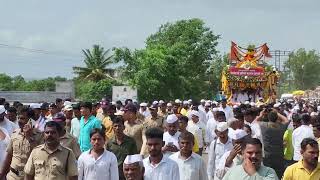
point(96, 62)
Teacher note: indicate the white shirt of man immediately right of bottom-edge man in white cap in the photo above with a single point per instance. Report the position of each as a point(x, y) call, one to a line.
point(167, 169)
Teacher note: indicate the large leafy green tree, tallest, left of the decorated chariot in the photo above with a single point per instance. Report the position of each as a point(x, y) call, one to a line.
point(174, 63)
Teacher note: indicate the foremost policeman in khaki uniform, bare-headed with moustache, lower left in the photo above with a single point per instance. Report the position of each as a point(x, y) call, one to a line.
point(51, 161)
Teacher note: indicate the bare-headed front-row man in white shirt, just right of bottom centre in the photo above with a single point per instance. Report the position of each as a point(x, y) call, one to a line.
point(191, 165)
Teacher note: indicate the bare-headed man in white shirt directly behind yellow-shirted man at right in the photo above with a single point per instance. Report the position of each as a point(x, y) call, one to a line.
point(302, 132)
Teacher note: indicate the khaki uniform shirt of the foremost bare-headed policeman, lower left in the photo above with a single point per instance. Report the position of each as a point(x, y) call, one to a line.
point(45, 164)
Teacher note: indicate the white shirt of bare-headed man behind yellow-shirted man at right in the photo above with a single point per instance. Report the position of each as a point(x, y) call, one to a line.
point(298, 135)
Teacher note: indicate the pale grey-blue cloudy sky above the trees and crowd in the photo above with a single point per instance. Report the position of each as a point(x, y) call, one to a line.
point(61, 28)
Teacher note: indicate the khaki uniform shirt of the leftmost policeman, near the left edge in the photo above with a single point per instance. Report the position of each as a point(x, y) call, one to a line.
point(20, 148)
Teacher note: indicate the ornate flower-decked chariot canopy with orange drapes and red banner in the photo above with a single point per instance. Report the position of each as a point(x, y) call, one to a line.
point(247, 70)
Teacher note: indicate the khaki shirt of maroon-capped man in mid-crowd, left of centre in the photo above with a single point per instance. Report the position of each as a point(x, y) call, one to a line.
point(134, 131)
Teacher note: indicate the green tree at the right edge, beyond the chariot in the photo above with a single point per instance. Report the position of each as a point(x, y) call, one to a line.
point(303, 67)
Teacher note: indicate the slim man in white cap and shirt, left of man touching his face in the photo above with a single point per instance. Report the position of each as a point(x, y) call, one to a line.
point(217, 148)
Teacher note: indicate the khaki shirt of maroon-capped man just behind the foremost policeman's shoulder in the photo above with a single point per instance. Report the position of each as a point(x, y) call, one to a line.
point(68, 141)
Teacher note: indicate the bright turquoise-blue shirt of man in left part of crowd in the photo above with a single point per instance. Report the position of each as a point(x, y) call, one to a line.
point(85, 129)
